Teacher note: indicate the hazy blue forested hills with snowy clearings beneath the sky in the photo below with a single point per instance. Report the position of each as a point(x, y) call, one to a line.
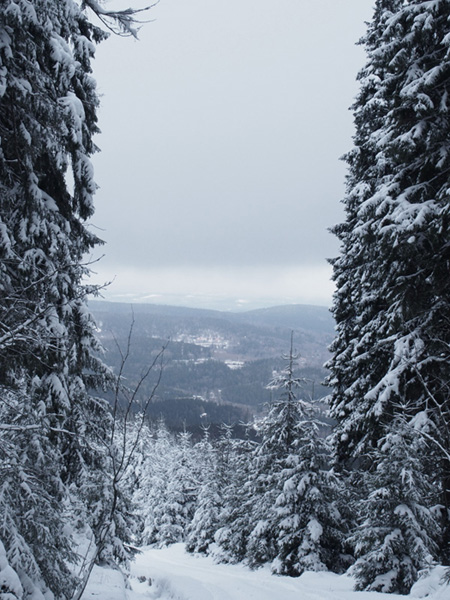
point(217, 364)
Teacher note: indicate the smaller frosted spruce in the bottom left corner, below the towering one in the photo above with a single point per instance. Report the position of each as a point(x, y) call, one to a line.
point(31, 497)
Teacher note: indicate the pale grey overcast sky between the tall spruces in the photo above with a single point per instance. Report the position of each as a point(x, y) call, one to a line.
point(219, 170)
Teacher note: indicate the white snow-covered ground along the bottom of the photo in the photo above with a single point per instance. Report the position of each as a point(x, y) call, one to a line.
point(171, 574)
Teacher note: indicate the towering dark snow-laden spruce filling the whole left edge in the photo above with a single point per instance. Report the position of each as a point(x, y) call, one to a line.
point(53, 430)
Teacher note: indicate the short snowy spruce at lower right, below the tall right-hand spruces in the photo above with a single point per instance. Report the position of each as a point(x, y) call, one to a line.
point(396, 534)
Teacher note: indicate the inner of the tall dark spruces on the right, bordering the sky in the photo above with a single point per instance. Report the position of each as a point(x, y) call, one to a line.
point(360, 300)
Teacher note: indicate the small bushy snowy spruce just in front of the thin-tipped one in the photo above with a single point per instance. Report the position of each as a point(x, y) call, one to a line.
point(310, 508)
